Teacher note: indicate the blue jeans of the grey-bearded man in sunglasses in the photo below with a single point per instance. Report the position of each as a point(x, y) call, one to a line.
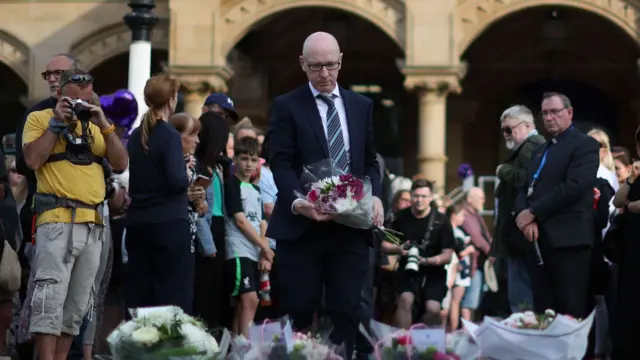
point(519, 285)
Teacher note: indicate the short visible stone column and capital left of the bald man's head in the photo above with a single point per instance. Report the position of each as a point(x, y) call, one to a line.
point(198, 82)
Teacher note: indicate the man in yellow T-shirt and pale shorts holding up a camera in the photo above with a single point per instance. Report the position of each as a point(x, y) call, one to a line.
point(66, 147)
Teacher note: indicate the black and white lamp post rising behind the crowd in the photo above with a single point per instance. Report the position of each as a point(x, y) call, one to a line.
point(141, 20)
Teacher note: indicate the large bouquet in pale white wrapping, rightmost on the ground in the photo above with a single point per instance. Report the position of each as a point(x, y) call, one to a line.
point(530, 336)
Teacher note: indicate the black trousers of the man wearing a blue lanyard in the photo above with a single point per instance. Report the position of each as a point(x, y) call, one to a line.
point(562, 282)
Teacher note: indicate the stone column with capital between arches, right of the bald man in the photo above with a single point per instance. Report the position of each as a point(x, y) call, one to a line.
point(432, 87)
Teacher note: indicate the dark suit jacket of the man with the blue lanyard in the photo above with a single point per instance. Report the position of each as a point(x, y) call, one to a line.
point(562, 199)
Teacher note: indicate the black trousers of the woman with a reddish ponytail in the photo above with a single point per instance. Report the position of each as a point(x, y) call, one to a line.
point(160, 267)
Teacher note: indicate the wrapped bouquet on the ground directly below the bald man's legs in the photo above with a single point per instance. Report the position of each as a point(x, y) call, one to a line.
point(277, 341)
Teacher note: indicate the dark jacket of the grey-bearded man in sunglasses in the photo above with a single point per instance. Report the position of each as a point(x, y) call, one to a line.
point(508, 239)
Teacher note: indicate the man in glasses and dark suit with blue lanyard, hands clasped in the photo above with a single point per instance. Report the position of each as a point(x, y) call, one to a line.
point(554, 207)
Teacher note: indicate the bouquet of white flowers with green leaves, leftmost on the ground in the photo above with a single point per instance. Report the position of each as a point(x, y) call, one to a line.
point(165, 333)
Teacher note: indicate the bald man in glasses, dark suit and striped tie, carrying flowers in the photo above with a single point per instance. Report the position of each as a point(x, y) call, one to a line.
point(321, 121)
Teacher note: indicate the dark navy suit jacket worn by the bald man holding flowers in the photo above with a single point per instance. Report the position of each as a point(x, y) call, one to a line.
point(296, 138)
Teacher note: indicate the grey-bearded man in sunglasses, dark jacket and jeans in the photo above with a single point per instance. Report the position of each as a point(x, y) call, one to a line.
point(521, 137)
